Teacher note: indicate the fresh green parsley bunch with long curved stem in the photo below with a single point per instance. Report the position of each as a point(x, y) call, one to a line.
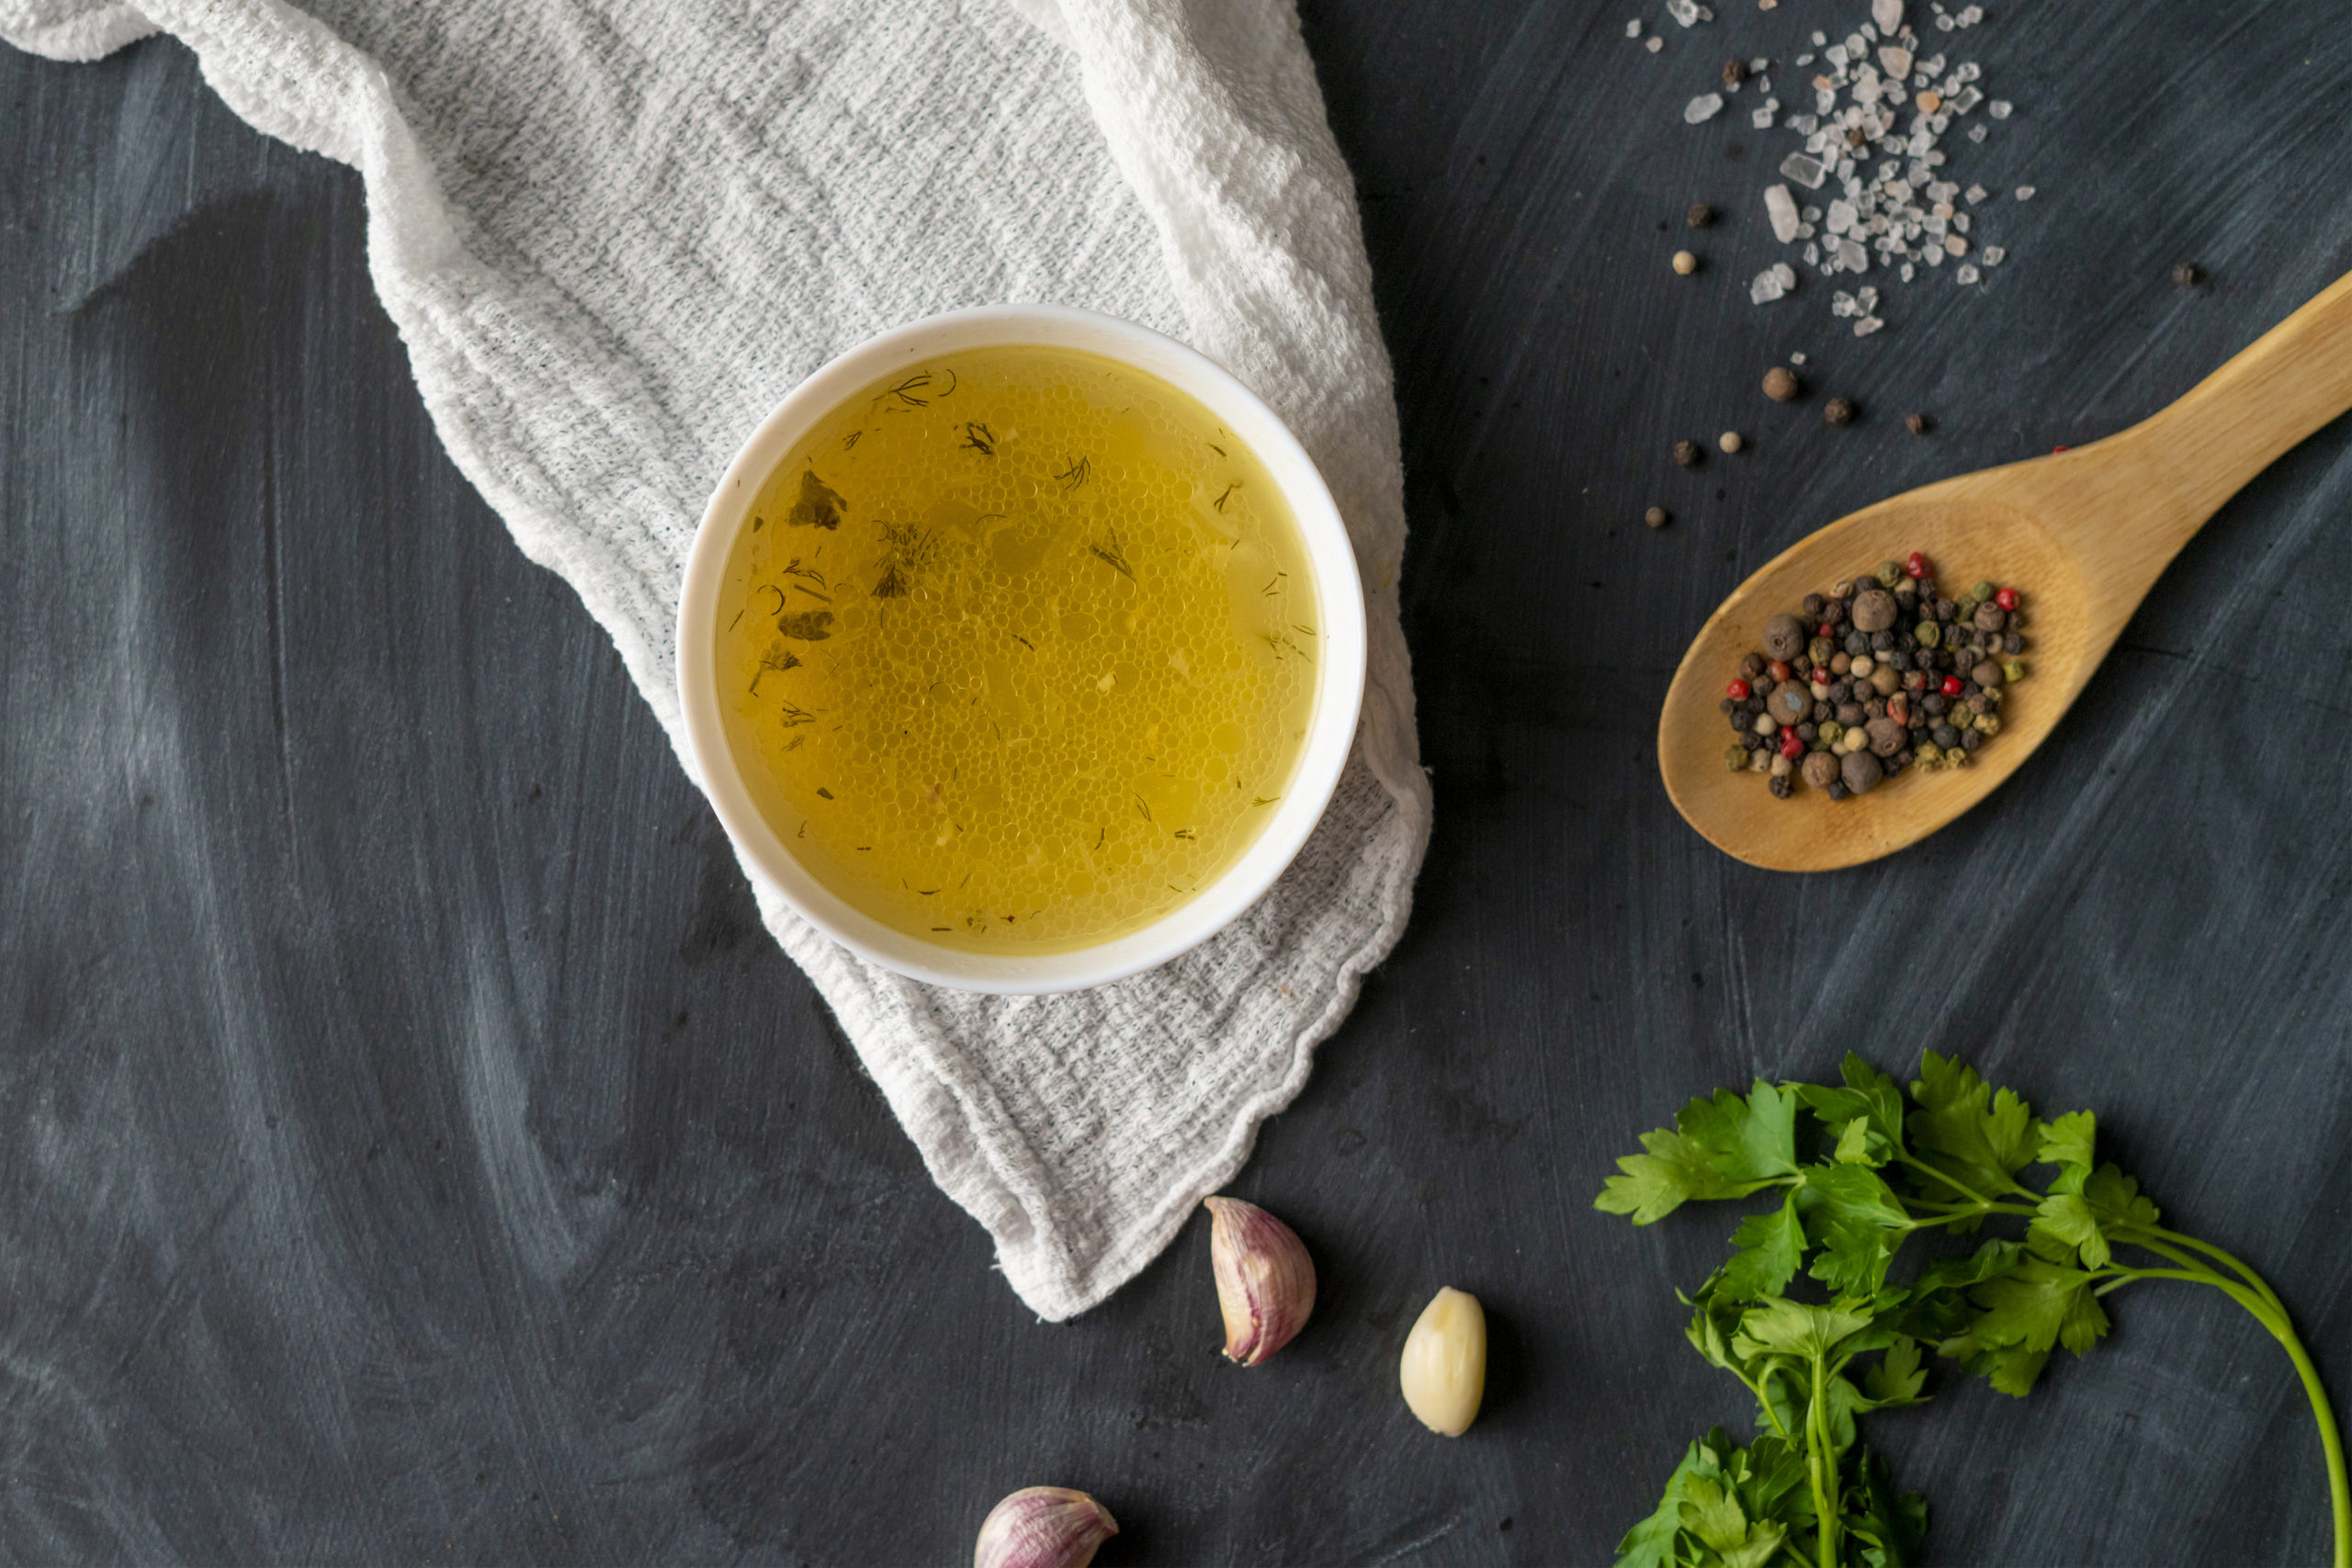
point(1862, 1170)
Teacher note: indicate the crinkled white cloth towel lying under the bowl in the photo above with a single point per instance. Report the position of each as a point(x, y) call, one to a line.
point(615, 234)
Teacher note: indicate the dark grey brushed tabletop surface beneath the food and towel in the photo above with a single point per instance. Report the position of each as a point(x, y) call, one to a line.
point(415, 1148)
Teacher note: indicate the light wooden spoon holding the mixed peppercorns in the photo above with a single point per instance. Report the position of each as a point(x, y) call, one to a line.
point(2083, 535)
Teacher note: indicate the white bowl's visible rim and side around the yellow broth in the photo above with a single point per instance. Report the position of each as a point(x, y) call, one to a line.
point(1337, 699)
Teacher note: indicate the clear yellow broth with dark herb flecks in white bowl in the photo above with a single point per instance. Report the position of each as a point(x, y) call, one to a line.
point(1022, 650)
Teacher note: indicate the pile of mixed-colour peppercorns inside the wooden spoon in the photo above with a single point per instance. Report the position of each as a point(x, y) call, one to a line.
point(1871, 678)
